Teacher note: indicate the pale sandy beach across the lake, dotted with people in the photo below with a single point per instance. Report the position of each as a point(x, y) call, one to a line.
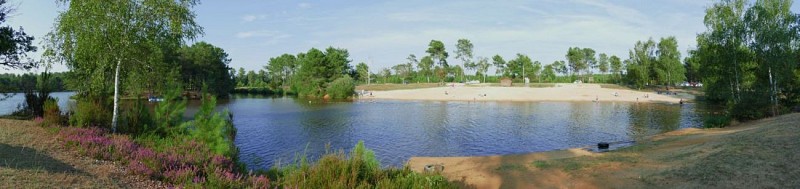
point(561, 92)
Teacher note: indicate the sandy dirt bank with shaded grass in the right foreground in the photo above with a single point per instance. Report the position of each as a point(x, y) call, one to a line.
point(758, 154)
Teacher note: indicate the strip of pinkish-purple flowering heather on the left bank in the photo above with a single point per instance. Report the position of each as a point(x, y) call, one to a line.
point(184, 163)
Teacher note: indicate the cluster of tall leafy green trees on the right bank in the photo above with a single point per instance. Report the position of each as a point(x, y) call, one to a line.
point(748, 57)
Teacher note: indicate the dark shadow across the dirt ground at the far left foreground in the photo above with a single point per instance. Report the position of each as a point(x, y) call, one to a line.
point(17, 157)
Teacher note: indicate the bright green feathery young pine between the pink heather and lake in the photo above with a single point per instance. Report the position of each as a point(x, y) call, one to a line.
point(212, 128)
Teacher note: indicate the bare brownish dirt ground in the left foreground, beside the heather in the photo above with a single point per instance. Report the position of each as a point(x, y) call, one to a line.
point(31, 157)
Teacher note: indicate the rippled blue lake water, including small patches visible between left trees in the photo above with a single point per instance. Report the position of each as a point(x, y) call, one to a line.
point(272, 130)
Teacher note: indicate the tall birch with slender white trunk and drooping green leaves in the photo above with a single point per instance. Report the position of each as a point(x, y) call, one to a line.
point(98, 37)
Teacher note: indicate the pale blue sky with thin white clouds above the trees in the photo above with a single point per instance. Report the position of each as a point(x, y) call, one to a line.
point(384, 33)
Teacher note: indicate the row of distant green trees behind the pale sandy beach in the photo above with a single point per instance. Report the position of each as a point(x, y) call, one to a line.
point(650, 63)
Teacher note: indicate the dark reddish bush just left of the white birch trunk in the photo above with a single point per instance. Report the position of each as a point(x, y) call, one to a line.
point(91, 112)
